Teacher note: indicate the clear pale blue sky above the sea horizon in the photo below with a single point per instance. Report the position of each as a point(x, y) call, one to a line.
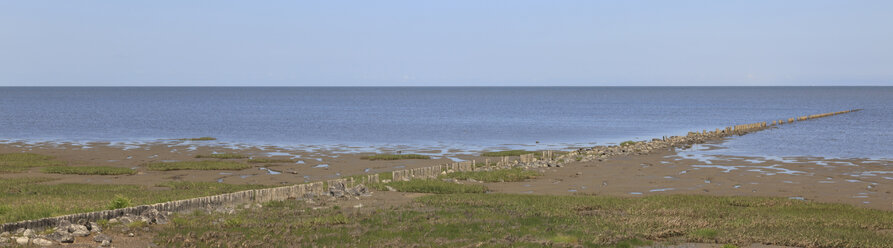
point(445, 43)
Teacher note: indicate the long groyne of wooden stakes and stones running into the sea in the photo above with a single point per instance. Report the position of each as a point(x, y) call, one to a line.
point(355, 185)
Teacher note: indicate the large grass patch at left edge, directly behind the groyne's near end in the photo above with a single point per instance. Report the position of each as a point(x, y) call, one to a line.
point(31, 198)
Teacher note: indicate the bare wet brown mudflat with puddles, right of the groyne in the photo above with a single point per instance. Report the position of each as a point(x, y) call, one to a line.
point(864, 183)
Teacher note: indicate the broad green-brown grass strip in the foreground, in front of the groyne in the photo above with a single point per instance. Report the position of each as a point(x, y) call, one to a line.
point(507, 220)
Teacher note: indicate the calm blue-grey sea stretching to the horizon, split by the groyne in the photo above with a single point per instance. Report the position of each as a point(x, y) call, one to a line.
point(460, 117)
